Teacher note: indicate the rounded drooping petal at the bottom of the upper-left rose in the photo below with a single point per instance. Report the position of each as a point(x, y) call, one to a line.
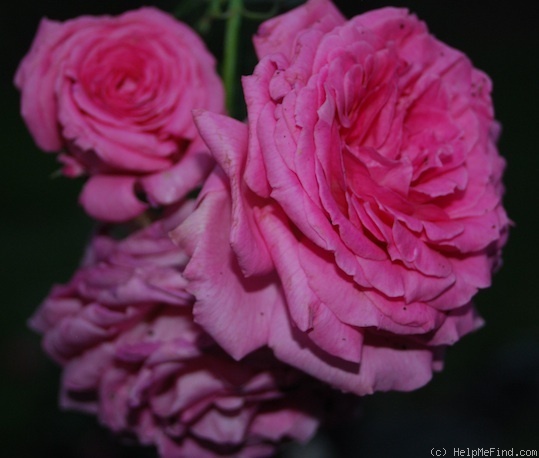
point(111, 198)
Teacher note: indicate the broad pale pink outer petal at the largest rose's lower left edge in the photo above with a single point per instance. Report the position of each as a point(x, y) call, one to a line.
point(234, 310)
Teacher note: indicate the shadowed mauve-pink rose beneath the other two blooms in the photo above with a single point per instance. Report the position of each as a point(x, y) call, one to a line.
point(123, 331)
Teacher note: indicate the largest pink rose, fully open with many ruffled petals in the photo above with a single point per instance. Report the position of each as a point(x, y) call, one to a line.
point(366, 186)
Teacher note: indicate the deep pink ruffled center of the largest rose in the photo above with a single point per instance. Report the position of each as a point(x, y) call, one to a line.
point(402, 151)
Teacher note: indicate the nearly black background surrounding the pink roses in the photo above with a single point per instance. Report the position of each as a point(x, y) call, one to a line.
point(488, 394)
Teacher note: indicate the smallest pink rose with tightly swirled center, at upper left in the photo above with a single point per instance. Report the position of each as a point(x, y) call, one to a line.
point(114, 96)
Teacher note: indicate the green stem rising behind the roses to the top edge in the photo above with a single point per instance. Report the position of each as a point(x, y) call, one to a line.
point(230, 61)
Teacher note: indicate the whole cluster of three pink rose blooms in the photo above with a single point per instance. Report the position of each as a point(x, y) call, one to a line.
point(339, 234)
